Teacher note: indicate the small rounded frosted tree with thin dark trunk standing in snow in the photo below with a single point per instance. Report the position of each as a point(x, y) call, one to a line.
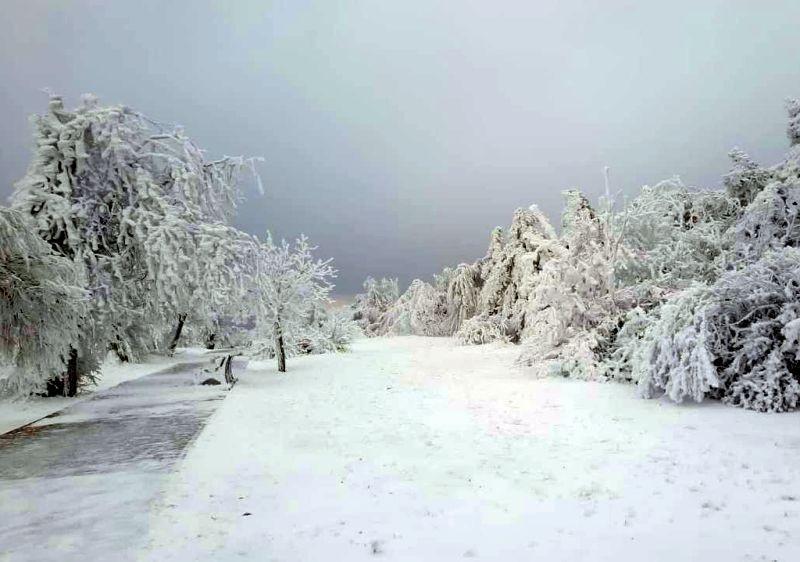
point(288, 280)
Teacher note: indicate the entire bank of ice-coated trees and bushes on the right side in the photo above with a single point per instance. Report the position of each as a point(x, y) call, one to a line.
point(689, 293)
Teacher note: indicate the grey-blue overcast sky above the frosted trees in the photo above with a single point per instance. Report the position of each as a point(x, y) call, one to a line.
point(397, 134)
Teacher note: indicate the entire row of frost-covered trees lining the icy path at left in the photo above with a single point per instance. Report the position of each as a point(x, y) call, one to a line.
point(119, 235)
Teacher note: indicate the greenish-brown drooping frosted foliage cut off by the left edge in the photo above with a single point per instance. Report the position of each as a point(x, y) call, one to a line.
point(41, 306)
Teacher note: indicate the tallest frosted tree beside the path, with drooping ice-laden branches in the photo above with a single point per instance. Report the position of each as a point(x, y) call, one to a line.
point(137, 206)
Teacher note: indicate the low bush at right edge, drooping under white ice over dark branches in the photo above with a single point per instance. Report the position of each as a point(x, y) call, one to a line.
point(736, 340)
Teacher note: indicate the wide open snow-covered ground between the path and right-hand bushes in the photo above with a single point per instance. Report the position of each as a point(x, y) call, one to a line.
point(415, 449)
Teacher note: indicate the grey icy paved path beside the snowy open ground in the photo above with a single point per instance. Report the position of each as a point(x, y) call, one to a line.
point(77, 485)
